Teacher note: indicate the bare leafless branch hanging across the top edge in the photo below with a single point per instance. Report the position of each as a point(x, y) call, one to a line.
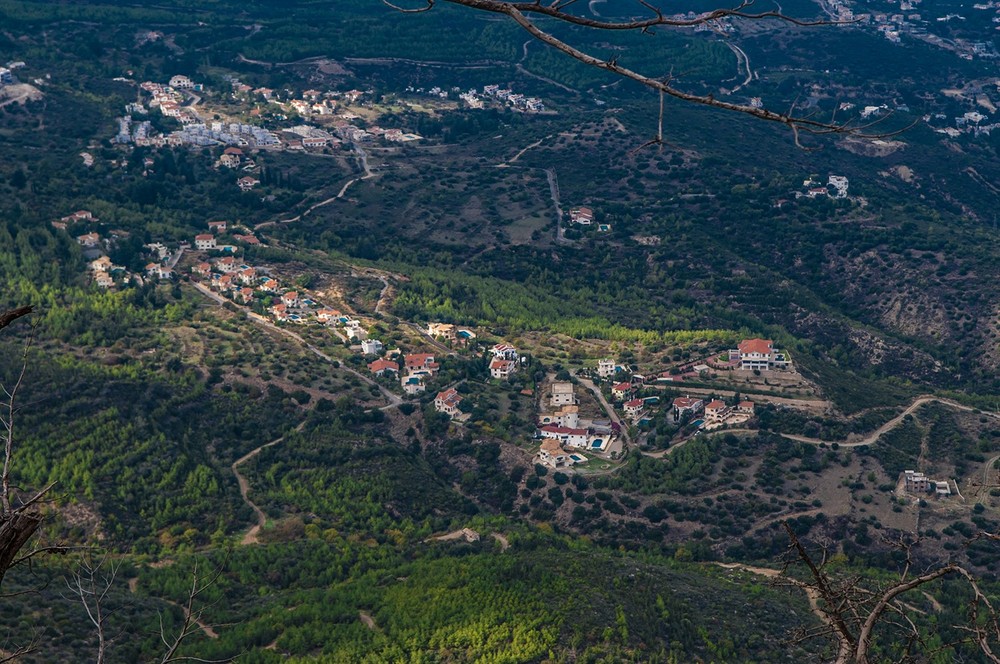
point(527, 15)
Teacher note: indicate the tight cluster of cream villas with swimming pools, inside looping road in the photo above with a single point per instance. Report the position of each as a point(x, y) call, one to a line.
point(562, 427)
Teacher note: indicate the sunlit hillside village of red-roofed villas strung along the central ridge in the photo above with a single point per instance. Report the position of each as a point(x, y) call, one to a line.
point(564, 435)
